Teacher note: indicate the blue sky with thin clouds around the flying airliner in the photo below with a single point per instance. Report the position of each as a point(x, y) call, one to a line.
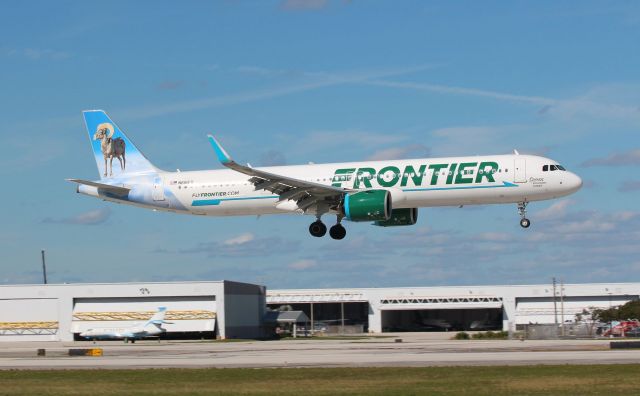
point(294, 81)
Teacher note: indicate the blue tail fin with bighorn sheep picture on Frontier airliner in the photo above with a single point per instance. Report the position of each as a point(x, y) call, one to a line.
point(115, 154)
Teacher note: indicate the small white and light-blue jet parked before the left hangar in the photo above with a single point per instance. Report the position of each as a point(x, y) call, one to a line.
point(151, 328)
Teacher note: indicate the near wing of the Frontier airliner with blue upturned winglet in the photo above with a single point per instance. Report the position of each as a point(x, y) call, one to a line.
point(305, 193)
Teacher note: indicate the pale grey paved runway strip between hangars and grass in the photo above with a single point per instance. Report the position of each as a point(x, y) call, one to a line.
point(414, 350)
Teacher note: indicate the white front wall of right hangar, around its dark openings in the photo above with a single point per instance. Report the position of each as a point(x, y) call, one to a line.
point(520, 303)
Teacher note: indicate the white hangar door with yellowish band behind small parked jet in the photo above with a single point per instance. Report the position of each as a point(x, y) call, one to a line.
point(186, 313)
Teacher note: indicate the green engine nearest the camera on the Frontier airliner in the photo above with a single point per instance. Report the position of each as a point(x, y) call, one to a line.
point(368, 205)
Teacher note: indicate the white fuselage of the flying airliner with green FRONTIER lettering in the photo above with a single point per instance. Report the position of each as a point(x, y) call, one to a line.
point(413, 183)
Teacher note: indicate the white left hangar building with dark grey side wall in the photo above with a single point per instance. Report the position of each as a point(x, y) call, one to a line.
point(221, 309)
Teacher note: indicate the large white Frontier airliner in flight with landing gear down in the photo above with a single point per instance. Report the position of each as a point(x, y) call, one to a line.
point(385, 193)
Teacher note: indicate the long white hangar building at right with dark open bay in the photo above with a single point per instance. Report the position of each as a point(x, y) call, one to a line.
point(379, 310)
